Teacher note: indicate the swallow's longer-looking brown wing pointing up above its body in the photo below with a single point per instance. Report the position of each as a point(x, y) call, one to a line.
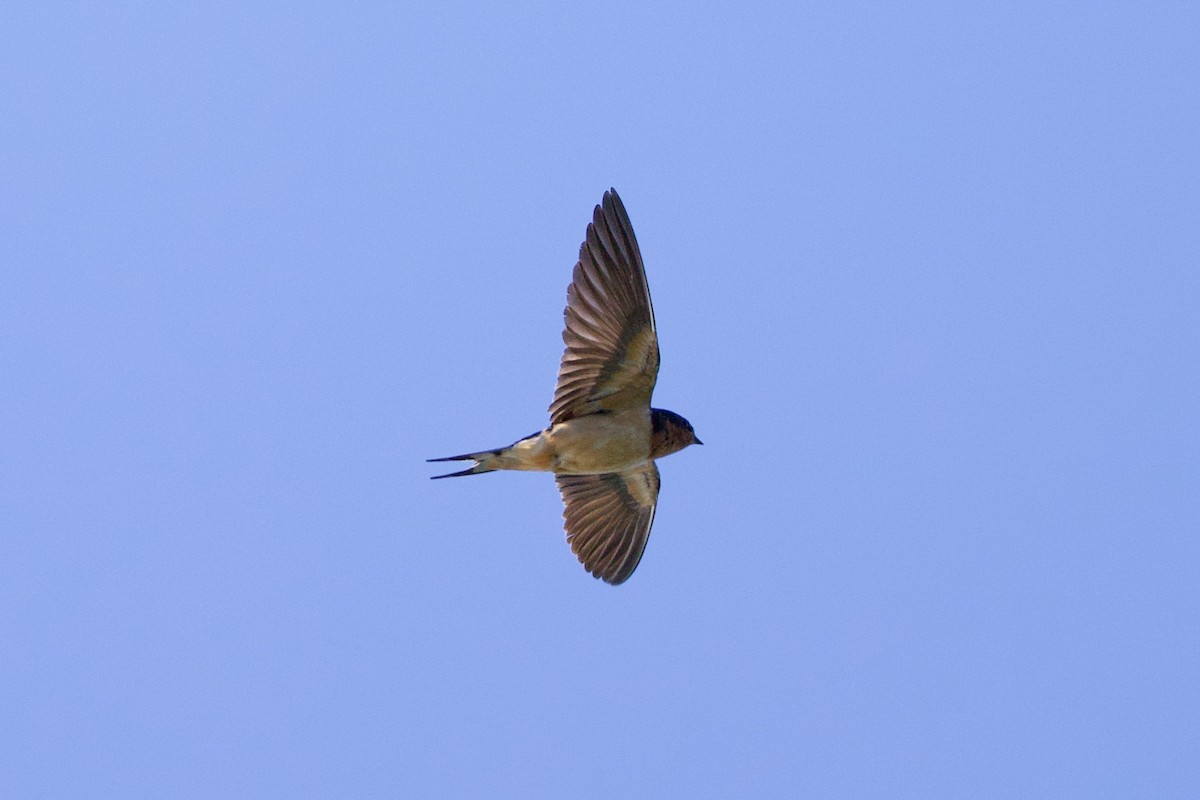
point(611, 362)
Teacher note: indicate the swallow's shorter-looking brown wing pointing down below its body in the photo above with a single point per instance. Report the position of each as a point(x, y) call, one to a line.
point(609, 519)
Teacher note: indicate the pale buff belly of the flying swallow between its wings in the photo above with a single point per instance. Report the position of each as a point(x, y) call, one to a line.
point(602, 443)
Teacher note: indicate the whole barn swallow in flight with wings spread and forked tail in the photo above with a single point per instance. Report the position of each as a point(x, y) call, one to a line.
point(604, 438)
